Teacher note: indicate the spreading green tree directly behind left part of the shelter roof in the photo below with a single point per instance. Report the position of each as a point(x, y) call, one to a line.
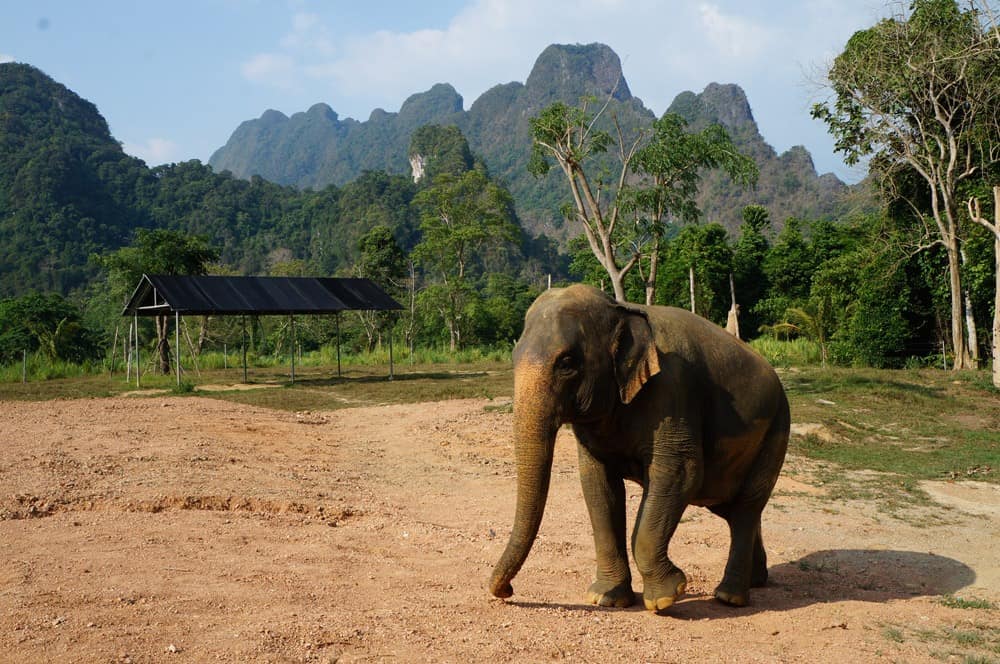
point(157, 252)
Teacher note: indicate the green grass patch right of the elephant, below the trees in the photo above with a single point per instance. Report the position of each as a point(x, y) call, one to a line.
point(911, 425)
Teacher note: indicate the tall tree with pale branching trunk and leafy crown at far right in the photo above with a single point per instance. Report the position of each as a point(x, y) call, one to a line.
point(910, 95)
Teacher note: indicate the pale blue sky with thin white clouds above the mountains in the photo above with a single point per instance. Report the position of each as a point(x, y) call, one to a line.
point(174, 79)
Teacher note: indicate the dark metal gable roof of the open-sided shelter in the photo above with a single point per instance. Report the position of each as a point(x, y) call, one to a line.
point(215, 295)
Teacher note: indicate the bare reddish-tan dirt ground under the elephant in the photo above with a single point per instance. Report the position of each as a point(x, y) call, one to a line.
point(175, 529)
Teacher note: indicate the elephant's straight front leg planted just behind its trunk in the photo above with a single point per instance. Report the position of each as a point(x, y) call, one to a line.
point(604, 493)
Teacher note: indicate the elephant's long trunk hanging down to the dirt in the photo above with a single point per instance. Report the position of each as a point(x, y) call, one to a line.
point(535, 428)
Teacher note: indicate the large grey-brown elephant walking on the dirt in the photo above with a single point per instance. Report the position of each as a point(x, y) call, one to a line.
point(659, 396)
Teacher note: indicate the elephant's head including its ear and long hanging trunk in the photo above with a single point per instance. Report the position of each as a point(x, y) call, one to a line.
point(581, 355)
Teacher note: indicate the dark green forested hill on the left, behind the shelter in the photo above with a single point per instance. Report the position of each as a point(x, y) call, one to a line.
point(68, 191)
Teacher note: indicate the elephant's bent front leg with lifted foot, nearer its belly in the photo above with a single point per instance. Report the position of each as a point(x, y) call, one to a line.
point(673, 478)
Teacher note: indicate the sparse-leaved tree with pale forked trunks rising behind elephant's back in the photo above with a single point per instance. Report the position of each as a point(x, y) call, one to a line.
point(655, 180)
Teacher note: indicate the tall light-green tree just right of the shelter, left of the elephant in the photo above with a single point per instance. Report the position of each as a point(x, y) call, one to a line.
point(462, 217)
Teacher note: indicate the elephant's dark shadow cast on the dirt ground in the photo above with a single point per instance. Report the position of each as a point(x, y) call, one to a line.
point(828, 576)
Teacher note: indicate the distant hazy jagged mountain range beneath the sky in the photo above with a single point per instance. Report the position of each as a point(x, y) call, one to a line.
point(316, 147)
